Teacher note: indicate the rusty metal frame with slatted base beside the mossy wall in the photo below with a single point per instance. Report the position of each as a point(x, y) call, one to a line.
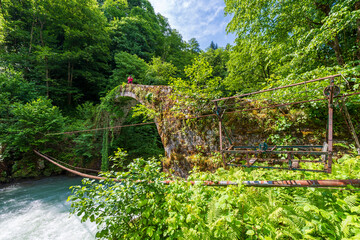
point(325, 151)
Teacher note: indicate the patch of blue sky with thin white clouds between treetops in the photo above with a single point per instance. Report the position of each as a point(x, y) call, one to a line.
point(200, 19)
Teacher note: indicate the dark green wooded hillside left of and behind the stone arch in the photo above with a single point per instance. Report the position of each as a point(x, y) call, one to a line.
point(72, 52)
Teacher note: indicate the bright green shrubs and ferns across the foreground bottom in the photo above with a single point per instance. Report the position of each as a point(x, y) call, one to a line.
point(141, 208)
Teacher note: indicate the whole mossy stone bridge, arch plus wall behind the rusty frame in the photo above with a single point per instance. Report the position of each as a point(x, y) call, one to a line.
point(280, 126)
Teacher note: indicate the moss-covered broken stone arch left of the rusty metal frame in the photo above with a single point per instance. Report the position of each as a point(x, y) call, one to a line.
point(177, 135)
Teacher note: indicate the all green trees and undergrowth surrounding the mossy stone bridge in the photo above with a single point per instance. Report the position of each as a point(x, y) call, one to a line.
point(61, 61)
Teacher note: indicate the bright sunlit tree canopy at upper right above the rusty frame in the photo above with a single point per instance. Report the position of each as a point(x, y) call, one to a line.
point(290, 38)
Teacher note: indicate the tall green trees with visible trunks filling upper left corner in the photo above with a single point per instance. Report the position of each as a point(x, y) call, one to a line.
point(61, 44)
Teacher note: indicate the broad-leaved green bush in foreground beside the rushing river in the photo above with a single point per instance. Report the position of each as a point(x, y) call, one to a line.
point(127, 209)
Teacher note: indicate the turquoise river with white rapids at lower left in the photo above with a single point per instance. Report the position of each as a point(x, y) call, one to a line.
point(38, 210)
